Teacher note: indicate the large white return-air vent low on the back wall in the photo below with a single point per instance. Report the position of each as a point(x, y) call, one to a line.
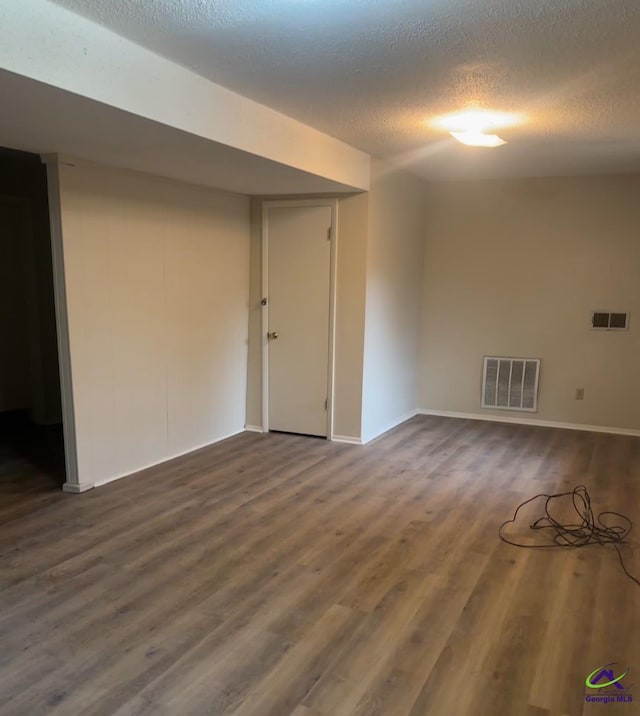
point(510, 383)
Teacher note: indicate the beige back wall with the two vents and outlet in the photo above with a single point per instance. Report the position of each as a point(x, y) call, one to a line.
point(515, 268)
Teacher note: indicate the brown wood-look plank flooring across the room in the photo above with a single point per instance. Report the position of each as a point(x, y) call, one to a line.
point(277, 575)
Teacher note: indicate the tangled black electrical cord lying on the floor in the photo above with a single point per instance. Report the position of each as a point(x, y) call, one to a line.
point(590, 529)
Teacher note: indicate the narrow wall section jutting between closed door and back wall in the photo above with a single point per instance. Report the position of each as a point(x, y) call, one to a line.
point(394, 284)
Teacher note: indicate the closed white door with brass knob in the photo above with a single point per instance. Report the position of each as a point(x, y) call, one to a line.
point(299, 271)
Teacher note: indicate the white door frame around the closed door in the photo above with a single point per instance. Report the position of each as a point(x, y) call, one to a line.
point(298, 203)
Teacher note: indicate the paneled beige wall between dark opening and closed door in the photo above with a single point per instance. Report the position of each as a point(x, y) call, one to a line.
point(157, 286)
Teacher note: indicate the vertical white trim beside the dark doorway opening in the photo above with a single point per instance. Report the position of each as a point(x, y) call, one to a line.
point(72, 483)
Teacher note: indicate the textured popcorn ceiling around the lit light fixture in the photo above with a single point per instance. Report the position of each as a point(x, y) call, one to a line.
point(372, 72)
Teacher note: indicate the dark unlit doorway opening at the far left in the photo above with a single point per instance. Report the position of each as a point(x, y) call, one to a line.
point(31, 440)
